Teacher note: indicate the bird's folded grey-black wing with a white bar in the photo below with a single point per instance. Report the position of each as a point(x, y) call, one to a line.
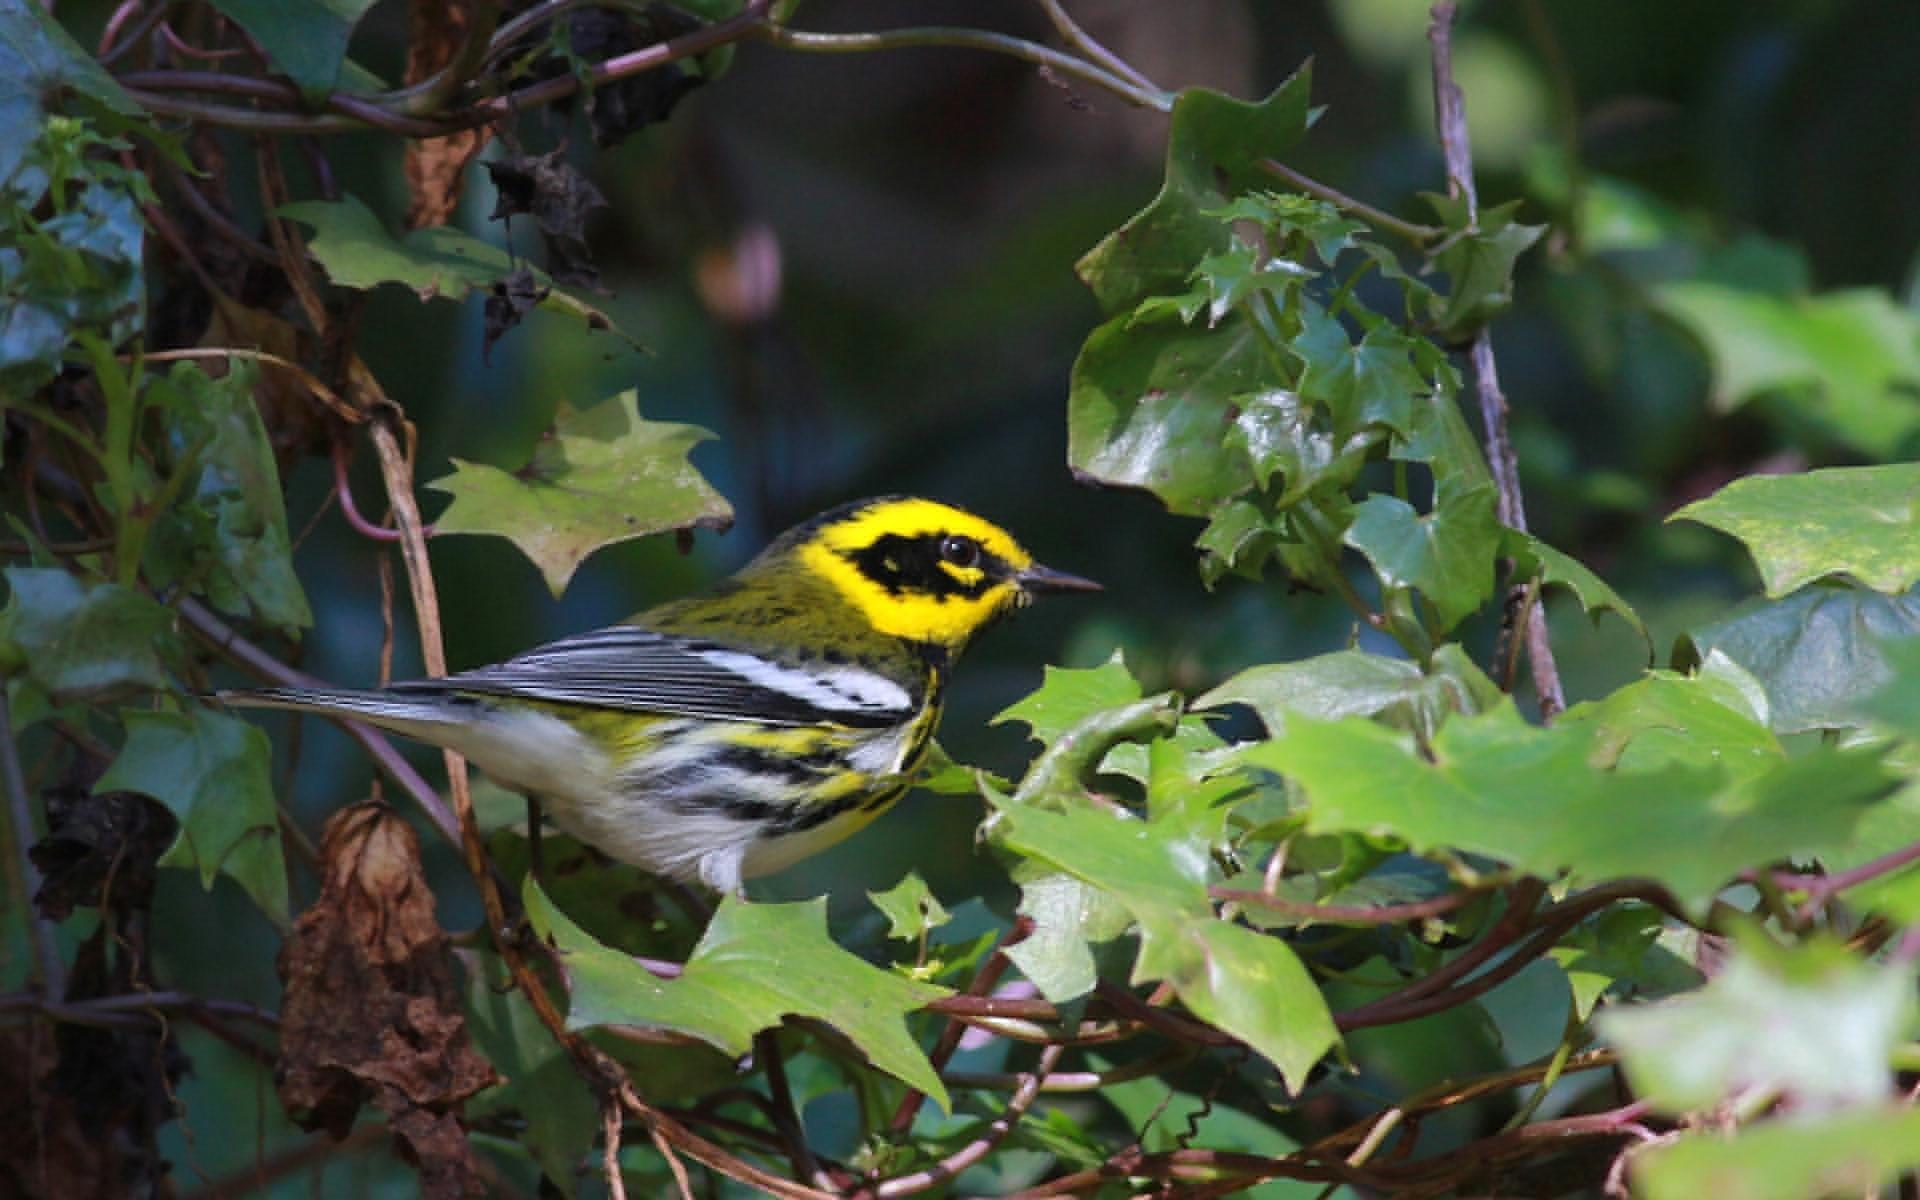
point(646, 671)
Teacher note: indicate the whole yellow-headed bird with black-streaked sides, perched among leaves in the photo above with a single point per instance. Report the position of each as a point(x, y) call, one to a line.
point(742, 729)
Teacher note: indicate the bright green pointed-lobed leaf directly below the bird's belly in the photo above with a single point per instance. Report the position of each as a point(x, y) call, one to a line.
point(756, 967)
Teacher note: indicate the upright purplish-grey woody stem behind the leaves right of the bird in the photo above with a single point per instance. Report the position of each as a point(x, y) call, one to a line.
point(1451, 120)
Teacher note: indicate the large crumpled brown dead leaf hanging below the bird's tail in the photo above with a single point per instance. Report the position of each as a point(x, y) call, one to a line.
point(372, 1009)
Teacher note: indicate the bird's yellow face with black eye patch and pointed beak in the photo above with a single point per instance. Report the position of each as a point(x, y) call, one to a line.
point(921, 569)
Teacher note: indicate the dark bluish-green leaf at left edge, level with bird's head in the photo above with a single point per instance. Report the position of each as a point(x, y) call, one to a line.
point(85, 638)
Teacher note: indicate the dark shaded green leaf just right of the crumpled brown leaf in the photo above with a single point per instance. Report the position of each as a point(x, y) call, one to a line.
point(542, 1084)
